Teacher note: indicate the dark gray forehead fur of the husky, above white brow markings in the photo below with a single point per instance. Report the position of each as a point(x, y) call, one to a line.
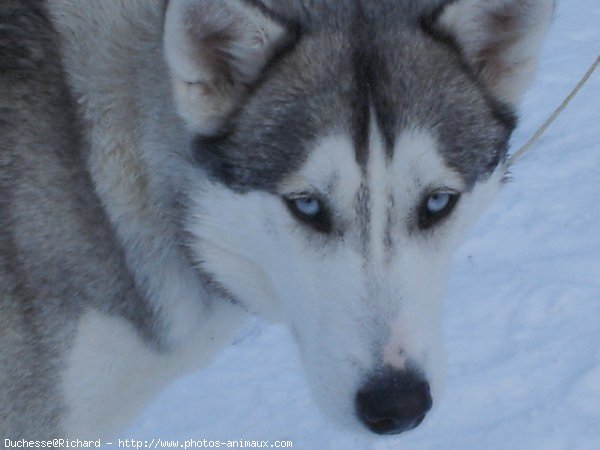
point(339, 79)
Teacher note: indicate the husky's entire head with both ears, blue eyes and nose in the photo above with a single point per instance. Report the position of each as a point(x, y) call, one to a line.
point(344, 148)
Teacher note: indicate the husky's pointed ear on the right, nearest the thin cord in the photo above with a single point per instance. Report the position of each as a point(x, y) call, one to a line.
point(500, 40)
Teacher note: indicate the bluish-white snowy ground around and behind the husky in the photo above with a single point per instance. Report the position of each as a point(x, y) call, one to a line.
point(522, 315)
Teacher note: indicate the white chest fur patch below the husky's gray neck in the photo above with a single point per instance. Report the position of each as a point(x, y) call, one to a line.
point(111, 373)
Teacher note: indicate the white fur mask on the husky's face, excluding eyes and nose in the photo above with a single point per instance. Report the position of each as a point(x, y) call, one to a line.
point(342, 308)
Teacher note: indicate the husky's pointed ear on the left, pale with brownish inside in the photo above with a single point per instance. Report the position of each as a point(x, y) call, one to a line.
point(215, 49)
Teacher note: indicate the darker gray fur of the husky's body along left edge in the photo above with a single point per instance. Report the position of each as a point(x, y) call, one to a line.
point(51, 220)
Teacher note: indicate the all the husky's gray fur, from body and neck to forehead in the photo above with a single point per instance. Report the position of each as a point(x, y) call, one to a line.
point(96, 164)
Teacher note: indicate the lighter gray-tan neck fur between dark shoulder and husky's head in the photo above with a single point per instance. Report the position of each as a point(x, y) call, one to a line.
point(113, 54)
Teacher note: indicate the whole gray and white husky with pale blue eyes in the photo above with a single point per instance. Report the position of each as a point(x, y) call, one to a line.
point(170, 168)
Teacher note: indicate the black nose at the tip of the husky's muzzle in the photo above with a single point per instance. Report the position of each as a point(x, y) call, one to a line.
point(393, 403)
